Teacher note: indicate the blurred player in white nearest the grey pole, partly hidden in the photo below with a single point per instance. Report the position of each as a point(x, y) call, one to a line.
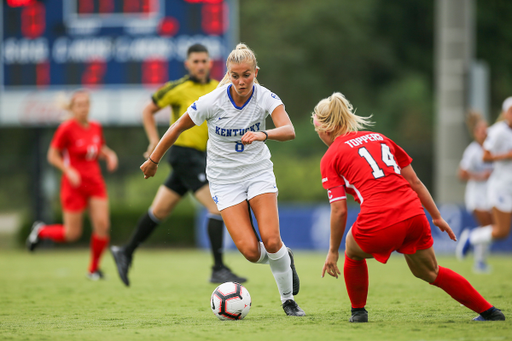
point(475, 171)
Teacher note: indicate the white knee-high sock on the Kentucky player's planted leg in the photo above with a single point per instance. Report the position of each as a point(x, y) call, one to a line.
point(280, 266)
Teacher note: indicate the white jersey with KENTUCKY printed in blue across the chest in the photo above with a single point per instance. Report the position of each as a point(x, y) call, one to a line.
point(228, 160)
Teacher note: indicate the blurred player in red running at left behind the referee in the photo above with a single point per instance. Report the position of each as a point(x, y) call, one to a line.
point(75, 149)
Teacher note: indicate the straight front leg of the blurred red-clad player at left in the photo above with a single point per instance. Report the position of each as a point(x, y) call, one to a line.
point(100, 237)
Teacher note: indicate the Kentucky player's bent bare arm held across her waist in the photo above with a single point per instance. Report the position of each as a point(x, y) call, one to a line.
point(283, 130)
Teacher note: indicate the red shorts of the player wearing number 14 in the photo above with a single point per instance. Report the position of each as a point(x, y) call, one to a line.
point(406, 237)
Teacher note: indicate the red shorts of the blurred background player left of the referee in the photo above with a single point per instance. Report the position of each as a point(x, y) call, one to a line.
point(76, 199)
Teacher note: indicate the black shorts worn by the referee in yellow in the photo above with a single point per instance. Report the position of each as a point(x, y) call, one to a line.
point(188, 170)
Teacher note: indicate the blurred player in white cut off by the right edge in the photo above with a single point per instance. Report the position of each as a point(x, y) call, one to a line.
point(497, 149)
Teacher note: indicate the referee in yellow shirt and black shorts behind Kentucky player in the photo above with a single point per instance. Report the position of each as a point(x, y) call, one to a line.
point(188, 161)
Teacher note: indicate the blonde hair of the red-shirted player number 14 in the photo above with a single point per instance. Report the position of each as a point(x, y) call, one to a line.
point(335, 115)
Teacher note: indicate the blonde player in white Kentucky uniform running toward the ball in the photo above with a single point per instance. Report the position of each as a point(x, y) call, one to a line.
point(238, 165)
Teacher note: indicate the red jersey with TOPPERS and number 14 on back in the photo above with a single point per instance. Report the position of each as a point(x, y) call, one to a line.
point(368, 164)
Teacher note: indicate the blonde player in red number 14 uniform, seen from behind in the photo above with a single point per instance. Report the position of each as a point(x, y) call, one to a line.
point(378, 173)
